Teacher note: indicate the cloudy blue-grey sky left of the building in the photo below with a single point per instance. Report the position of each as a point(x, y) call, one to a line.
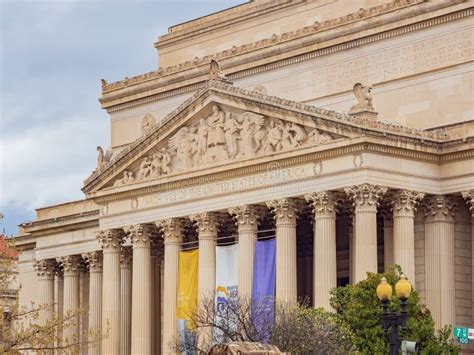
point(53, 55)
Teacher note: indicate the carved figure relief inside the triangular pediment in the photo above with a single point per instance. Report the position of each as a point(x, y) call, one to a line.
point(219, 137)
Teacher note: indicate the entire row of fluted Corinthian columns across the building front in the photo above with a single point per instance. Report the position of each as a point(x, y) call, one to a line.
point(124, 285)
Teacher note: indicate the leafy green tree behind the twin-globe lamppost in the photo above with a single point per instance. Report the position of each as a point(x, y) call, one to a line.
point(359, 308)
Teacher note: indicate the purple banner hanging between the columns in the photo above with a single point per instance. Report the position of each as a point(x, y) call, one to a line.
point(264, 286)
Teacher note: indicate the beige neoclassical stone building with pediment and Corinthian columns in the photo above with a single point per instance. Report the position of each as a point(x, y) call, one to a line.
point(261, 121)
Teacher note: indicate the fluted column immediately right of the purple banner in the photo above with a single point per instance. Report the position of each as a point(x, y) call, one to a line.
point(286, 281)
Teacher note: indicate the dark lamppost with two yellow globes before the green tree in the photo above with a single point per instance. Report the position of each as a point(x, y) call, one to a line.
point(394, 320)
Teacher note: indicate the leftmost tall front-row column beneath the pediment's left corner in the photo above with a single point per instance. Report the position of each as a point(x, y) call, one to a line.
point(111, 241)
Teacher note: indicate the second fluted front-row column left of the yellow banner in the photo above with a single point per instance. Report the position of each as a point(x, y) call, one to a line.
point(140, 235)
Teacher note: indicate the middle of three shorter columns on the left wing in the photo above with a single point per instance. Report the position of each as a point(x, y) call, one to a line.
point(71, 265)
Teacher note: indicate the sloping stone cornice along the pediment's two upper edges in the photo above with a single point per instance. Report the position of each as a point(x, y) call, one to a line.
point(331, 121)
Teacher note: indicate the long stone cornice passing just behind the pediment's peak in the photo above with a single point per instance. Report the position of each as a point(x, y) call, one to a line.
point(237, 62)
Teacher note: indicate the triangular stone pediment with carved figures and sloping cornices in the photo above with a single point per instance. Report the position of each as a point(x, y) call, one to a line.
point(220, 125)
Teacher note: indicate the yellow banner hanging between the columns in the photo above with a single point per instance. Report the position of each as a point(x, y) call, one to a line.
point(187, 284)
